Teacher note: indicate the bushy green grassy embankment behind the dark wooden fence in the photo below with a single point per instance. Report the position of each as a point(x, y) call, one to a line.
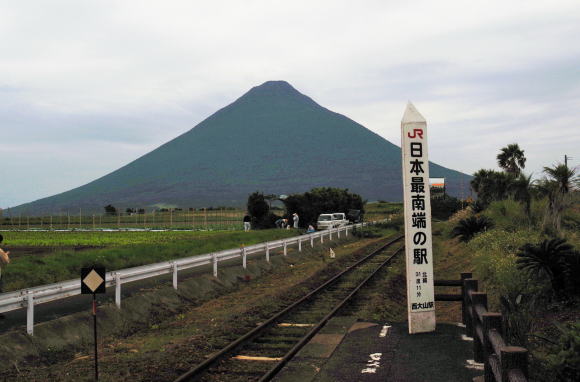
point(534, 309)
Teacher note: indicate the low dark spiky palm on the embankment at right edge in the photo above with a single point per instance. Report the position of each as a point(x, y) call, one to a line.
point(548, 259)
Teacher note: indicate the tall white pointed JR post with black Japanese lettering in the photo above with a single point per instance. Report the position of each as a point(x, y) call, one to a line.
point(417, 203)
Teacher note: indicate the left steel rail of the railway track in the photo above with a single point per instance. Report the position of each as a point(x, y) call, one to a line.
point(195, 373)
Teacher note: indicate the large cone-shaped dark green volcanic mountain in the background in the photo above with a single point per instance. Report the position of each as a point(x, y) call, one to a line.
point(272, 139)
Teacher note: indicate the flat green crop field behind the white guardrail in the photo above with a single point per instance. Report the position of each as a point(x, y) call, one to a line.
point(120, 250)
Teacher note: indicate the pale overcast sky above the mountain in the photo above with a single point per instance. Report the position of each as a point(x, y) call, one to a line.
point(88, 86)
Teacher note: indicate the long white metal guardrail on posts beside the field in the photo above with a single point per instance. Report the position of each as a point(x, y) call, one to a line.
point(29, 297)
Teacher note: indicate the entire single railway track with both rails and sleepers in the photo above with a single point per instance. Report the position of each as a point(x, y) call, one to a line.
point(262, 352)
